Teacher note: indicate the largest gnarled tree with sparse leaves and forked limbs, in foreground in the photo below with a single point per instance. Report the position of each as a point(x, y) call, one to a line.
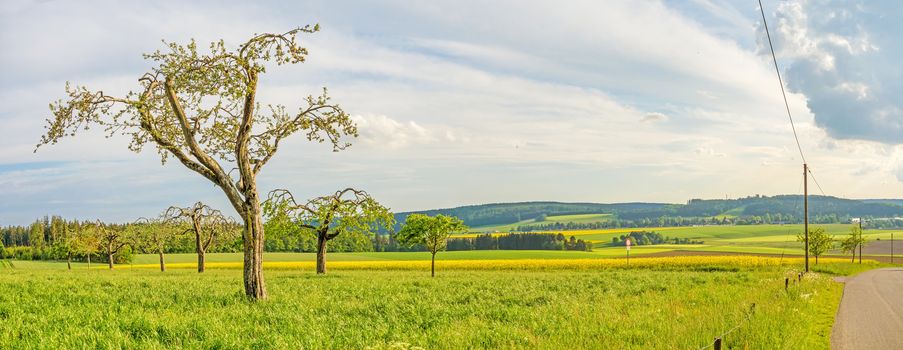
point(201, 109)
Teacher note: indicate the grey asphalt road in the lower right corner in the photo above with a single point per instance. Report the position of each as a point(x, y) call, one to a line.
point(871, 311)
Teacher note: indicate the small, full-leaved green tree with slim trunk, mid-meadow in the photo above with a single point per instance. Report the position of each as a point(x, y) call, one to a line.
point(430, 231)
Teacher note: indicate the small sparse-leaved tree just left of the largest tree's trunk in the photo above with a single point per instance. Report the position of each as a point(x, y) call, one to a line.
point(208, 225)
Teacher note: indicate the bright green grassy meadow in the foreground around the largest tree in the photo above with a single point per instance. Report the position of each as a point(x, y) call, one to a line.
point(44, 306)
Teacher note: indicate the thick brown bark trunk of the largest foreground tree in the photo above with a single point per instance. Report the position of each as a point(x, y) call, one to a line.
point(253, 246)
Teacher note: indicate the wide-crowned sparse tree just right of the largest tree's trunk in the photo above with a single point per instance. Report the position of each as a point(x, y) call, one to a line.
point(347, 211)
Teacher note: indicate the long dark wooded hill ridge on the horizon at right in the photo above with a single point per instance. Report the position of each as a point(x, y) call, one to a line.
point(529, 216)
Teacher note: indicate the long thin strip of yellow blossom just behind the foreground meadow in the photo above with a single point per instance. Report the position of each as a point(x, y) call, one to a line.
point(524, 264)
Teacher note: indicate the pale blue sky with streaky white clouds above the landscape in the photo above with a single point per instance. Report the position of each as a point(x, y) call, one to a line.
point(469, 102)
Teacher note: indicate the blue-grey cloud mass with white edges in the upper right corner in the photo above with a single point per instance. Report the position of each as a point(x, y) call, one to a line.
point(844, 57)
